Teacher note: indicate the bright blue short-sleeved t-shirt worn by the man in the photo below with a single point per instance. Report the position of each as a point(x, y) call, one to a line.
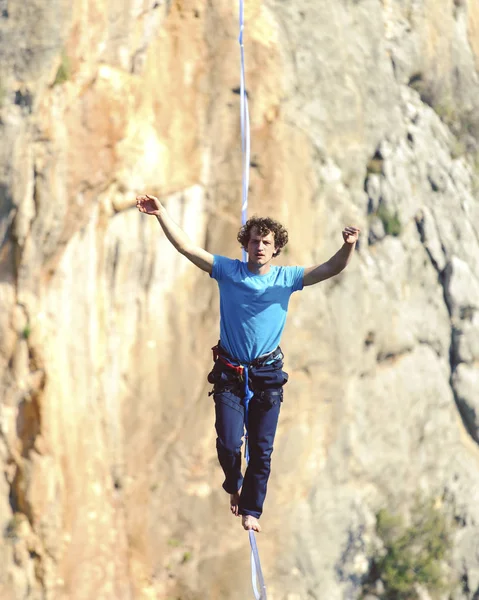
point(253, 307)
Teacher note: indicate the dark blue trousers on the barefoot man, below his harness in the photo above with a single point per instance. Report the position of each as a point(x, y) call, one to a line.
point(266, 383)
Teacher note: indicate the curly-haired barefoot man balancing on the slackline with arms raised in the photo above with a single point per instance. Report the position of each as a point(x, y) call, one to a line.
point(247, 375)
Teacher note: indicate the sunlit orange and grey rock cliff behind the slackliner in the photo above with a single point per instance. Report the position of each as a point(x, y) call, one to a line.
point(362, 112)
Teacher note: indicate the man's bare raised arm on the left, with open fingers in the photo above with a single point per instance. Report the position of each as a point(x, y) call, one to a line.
point(150, 205)
